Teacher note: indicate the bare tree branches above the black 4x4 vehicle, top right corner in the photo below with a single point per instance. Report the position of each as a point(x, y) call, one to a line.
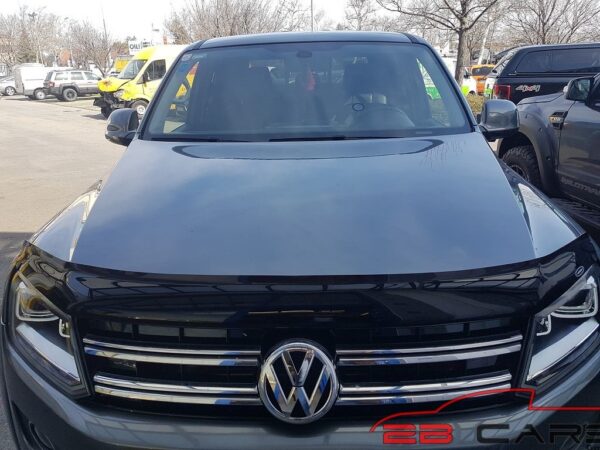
point(553, 21)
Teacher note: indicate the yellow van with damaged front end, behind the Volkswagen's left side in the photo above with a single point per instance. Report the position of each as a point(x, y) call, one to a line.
point(135, 86)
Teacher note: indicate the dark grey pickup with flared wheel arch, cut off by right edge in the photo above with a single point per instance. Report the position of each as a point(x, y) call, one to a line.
point(558, 147)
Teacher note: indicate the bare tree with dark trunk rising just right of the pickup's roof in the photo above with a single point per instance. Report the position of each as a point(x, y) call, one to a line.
point(456, 16)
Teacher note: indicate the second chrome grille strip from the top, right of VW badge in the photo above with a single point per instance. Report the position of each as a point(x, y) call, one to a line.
point(392, 360)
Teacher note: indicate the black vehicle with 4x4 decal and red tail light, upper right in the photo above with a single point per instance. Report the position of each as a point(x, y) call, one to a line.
point(541, 69)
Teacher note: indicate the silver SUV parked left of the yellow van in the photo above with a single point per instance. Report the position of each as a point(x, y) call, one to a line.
point(67, 85)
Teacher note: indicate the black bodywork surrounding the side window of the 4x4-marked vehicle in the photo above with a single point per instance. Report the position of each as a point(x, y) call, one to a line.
point(526, 85)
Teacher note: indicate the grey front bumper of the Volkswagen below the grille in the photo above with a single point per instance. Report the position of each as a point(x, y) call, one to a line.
point(75, 425)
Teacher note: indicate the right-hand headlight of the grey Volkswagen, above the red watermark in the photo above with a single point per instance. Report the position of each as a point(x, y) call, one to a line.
point(566, 330)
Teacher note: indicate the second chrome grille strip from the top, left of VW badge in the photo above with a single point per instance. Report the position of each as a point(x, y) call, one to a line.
point(174, 359)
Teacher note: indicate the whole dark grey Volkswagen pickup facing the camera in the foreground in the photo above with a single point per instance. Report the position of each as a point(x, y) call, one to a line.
point(269, 253)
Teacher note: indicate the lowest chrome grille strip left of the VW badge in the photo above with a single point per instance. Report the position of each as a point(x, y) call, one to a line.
point(185, 399)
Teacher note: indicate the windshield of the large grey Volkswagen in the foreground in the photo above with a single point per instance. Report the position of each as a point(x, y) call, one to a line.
point(327, 90)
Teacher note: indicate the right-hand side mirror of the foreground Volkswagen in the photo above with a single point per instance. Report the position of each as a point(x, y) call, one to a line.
point(499, 119)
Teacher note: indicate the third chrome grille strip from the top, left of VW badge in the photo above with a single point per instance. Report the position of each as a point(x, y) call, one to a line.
point(177, 388)
